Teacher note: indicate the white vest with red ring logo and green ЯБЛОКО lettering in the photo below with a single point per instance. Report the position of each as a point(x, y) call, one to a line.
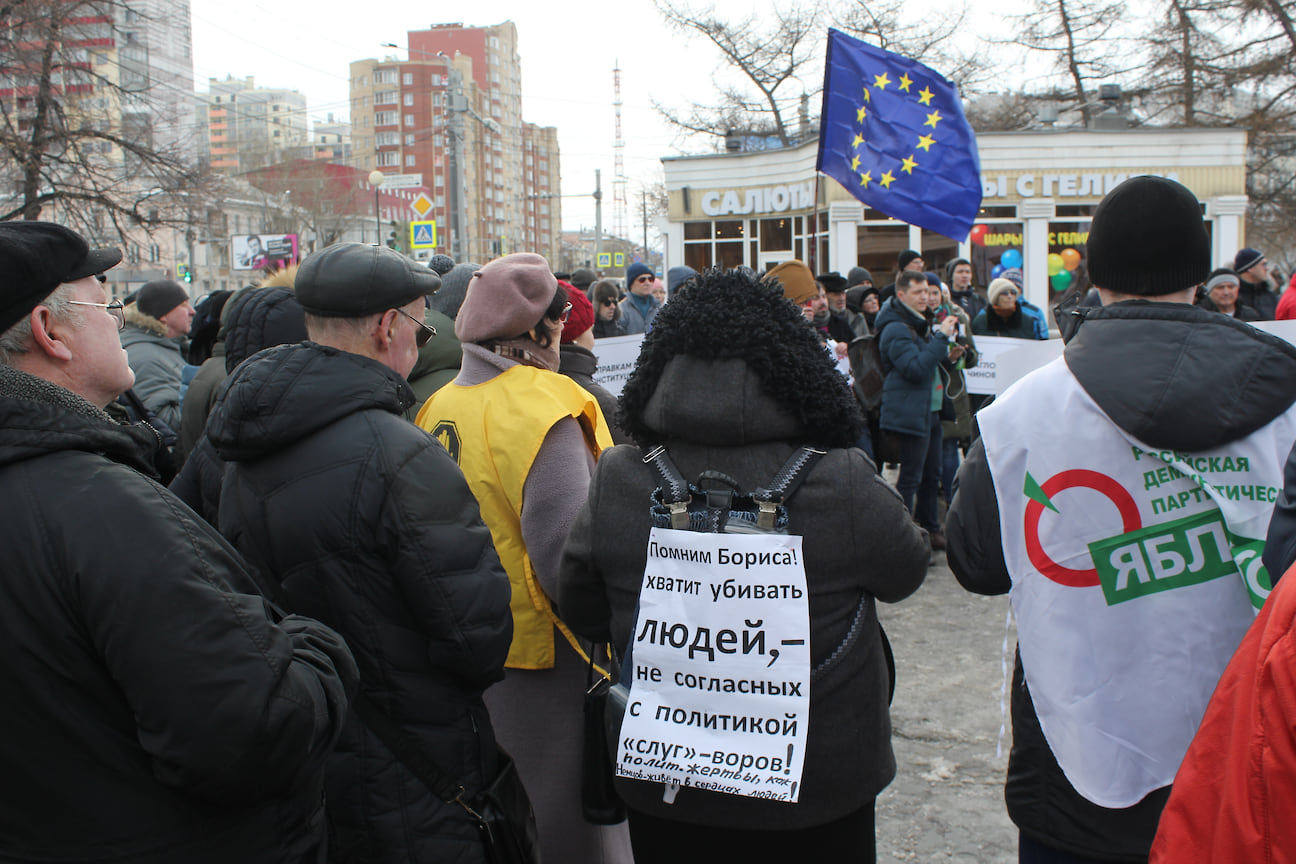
point(1136, 573)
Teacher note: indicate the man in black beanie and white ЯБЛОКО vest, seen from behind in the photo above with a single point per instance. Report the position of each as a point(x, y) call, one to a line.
point(1118, 657)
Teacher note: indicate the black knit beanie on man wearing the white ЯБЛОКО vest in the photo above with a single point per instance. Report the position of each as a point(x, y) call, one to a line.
point(1149, 239)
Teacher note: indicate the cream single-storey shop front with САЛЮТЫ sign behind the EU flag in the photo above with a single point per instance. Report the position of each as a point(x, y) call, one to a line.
point(1040, 191)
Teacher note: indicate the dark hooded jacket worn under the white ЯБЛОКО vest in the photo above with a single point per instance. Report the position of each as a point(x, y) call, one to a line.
point(1216, 380)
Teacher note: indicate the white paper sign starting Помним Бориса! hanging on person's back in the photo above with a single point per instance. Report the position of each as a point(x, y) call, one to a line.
point(721, 666)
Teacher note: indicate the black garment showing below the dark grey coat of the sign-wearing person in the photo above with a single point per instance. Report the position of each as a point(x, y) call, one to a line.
point(664, 841)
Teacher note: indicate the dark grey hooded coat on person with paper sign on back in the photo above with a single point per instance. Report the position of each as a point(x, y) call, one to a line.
point(859, 543)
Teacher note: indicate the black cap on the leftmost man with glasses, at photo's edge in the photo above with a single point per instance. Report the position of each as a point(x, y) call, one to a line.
point(38, 257)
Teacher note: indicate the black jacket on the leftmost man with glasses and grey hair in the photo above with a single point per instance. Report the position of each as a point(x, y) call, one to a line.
point(152, 711)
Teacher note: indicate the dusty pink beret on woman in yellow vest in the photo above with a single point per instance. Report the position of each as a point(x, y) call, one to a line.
point(506, 299)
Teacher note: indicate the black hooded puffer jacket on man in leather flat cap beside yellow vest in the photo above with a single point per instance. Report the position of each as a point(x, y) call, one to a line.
point(370, 527)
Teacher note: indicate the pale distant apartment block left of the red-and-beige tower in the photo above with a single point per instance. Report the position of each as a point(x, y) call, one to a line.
point(251, 128)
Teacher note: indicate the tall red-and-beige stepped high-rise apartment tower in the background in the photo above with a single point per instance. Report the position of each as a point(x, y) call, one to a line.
point(454, 108)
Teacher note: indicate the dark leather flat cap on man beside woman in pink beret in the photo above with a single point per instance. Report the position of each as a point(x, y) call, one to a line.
point(354, 280)
